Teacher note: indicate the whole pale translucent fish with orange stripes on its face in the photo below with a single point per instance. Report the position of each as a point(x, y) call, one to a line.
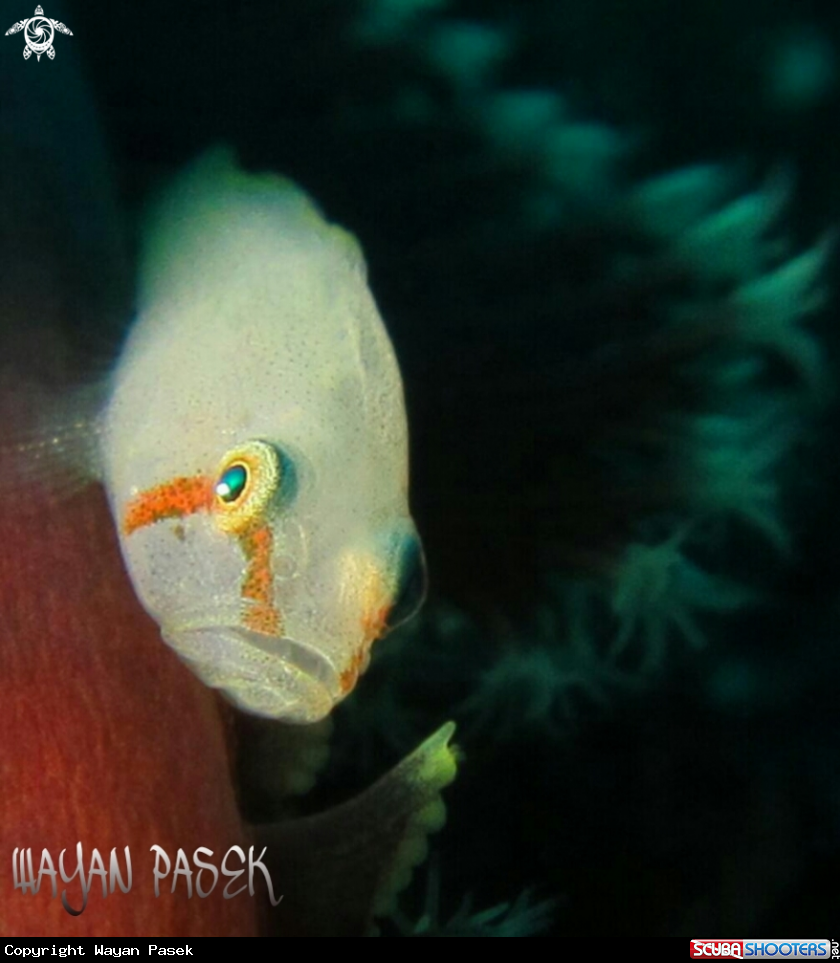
point(254, 445)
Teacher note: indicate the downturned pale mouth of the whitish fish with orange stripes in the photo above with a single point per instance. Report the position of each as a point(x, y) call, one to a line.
point(273, 676)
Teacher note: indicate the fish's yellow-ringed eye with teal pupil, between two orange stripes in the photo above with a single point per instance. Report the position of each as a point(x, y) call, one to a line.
point(247, 479)
